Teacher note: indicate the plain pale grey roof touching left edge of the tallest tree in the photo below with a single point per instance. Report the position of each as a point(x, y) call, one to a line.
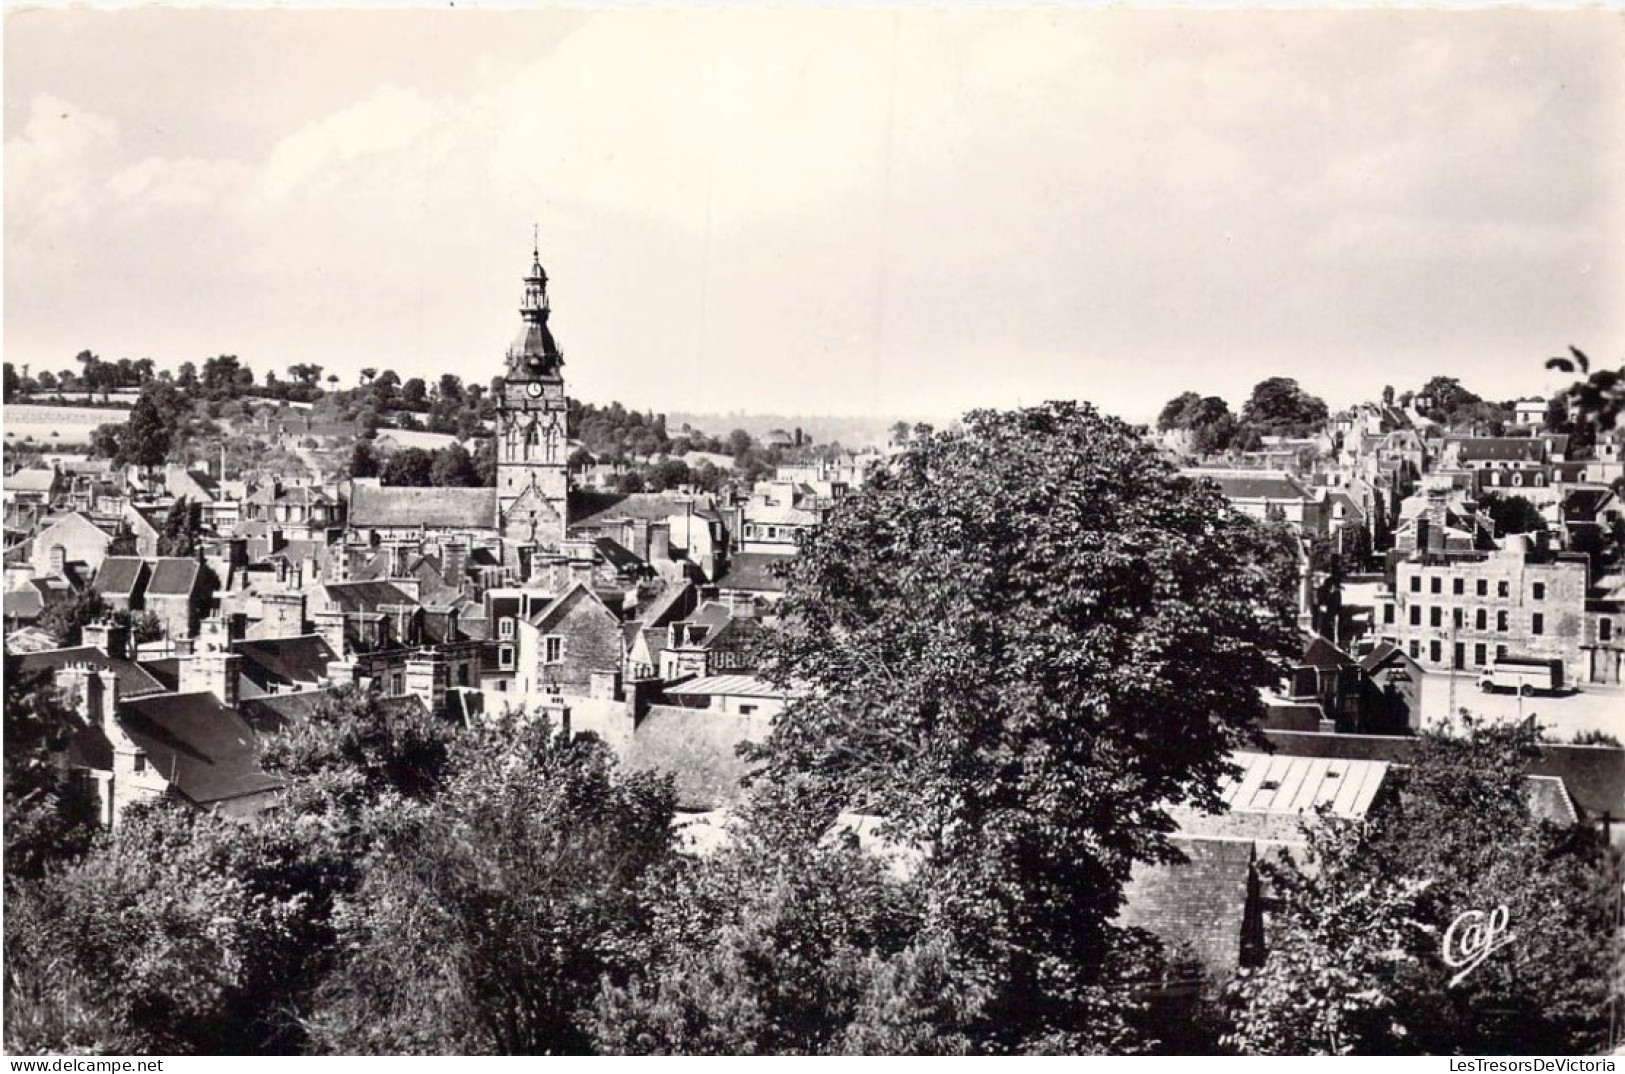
point(700, 748)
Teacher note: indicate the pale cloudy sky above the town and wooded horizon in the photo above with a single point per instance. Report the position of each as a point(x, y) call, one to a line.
point(903, 212)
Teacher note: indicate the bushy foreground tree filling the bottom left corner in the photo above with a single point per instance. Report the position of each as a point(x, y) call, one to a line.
point(189, 933)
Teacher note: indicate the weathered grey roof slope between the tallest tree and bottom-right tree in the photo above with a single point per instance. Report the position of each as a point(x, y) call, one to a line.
point(1198, 907)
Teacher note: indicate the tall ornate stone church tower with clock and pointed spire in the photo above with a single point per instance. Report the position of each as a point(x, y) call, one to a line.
point(532, 444)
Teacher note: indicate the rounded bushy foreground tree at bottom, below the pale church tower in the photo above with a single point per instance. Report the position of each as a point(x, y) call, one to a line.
point(492, 914)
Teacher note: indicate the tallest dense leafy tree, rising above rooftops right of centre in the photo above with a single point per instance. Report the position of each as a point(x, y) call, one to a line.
point(1020, 644)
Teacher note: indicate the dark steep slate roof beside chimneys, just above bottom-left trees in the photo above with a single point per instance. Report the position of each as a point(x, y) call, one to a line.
point(206, 750)
